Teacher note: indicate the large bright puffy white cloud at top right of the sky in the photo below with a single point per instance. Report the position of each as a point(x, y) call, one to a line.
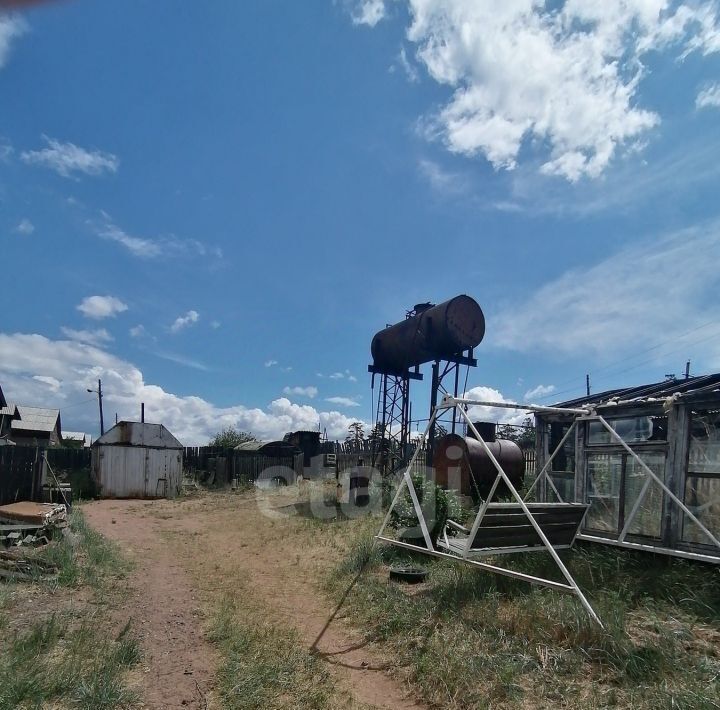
point(557, 82)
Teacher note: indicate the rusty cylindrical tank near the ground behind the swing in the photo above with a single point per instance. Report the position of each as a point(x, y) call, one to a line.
point(462, 464)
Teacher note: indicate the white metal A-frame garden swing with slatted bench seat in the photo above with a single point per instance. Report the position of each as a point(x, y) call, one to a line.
point(496, 529)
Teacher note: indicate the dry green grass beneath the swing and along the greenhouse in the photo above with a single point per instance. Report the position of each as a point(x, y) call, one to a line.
point(471, 639)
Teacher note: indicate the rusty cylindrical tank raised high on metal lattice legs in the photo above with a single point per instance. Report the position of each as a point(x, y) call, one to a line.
point(435, 333)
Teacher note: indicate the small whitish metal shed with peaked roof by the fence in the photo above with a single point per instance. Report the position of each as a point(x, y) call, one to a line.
point(137, 460)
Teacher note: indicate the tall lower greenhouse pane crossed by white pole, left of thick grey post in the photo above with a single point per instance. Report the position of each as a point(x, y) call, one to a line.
point(648, 519)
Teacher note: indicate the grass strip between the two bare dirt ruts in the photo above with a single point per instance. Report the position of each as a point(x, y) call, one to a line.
point(265, 665)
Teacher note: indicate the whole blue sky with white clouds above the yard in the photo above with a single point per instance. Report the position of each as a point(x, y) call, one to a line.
point(214, 206)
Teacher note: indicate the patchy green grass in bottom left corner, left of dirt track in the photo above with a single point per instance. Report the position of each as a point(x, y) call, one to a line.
point(66, 657)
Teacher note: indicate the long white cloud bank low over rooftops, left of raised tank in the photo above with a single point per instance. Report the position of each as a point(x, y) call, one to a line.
point(77, 366)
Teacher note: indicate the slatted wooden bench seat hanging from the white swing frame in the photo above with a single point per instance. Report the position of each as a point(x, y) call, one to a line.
point(506, 528)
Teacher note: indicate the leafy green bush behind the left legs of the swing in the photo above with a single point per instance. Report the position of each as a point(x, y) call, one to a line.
point(437, 505)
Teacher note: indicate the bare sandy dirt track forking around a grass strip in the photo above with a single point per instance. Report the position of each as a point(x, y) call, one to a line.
point(189, 553)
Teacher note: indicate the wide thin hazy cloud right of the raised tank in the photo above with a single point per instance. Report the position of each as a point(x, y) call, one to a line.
point(654, 291)
